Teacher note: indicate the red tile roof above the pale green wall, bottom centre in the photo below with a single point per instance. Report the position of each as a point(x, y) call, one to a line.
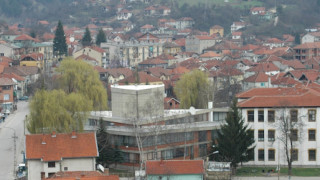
point(165, 167)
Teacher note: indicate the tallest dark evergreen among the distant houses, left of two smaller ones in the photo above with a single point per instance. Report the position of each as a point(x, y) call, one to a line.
point(59, 41)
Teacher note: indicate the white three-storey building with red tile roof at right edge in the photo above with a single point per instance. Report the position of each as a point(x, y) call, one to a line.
point(274, 114)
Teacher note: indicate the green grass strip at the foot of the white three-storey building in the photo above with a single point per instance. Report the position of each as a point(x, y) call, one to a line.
point(263, 171)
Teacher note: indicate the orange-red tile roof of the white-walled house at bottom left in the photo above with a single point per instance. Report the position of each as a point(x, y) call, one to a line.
point(70, 145)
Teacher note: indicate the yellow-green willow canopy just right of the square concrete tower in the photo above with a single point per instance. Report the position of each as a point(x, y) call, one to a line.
point(193, 89)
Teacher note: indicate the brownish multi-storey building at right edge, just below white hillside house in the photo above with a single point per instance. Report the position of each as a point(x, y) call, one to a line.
point(307, 50)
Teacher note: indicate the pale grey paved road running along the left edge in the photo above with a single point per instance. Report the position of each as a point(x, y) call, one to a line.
point(14, 123)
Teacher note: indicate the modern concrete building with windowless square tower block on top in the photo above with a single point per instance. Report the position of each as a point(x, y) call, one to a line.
point(143, 130)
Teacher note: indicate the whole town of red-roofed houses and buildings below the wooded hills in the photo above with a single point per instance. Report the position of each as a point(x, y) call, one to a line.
point(170, 94)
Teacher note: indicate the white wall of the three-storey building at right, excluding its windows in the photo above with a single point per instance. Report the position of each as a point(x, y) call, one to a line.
point(303, 144)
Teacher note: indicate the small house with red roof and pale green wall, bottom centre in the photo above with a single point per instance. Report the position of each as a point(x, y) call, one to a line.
point(175, 169)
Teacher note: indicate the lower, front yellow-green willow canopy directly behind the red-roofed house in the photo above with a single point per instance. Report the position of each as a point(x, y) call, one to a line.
point(57, 111)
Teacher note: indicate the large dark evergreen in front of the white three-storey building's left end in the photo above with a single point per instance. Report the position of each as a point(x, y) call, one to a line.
point(234, 141)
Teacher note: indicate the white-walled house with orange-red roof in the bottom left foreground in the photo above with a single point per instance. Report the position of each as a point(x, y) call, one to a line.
point(47, 154)
